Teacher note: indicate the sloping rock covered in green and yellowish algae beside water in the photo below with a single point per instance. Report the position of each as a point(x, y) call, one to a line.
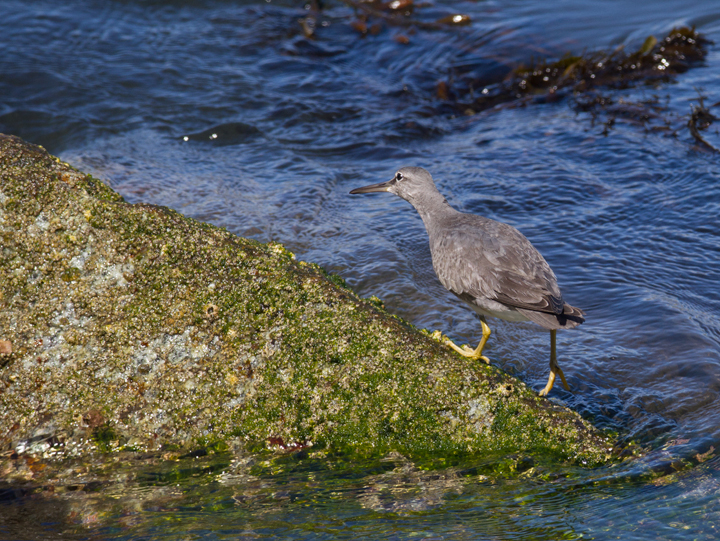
point(132, 326)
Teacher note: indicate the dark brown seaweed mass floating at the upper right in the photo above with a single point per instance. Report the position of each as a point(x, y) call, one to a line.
point(587, 79)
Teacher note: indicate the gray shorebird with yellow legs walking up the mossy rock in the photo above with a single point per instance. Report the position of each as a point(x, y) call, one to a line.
point(489, 265)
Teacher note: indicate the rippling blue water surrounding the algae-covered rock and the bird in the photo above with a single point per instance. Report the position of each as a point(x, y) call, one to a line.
point(627, 217)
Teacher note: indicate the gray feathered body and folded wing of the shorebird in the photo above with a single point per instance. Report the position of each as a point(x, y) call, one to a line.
point(484, 258)
